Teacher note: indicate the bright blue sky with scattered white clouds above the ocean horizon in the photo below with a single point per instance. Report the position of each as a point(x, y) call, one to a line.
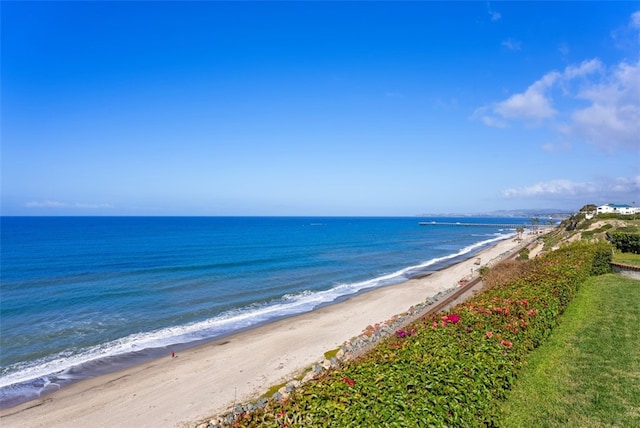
point(318, 108)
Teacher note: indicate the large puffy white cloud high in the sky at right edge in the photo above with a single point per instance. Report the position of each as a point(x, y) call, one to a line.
point(600, 104)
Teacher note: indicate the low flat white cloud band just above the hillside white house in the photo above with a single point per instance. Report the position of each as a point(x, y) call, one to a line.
point(603, 189)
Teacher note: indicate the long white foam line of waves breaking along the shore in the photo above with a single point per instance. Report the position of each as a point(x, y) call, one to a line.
point(290, 304)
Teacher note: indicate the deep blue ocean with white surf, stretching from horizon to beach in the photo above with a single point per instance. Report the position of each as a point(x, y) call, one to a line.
point(81, 296)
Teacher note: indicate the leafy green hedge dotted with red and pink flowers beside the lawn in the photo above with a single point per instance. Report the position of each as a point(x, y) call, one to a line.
point(446, 369)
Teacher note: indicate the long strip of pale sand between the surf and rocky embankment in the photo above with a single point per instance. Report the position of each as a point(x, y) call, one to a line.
point(208, 380)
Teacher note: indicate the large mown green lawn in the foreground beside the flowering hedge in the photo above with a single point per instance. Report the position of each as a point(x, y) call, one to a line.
point(587, 374)
